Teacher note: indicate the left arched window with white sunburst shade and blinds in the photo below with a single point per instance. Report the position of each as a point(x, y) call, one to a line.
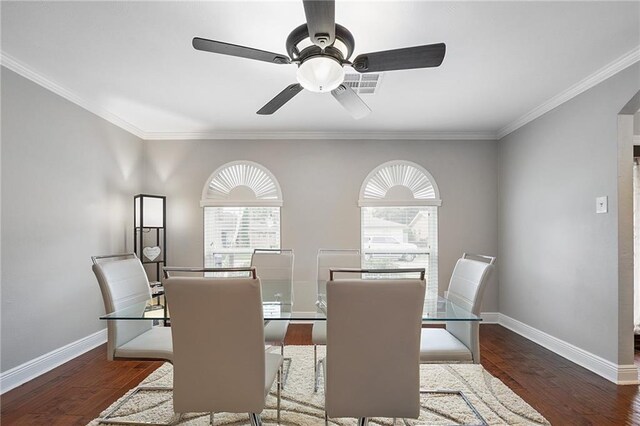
point(241, 202)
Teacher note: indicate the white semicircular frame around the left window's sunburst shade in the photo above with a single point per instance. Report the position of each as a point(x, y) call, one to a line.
point(208, 200)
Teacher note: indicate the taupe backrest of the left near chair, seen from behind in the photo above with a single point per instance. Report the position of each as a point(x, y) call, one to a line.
point(218, 344)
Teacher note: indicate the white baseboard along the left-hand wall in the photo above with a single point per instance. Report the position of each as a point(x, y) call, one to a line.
point(16, 376)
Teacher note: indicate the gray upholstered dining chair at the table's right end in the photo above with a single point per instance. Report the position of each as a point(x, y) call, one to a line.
point(460, 340)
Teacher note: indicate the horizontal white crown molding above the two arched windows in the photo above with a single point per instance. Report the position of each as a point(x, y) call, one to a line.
point(323, 135)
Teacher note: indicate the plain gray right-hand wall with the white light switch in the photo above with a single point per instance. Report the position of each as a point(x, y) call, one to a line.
point(559, 259)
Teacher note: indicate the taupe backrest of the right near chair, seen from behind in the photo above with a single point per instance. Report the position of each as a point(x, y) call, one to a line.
point(373, 347)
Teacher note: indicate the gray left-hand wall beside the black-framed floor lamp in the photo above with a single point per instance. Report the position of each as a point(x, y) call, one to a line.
point(68, 180)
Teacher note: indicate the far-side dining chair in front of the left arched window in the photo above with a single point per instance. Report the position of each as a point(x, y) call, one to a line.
point(275, 270)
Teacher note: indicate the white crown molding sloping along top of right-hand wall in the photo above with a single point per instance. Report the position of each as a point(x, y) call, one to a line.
point(594, 79)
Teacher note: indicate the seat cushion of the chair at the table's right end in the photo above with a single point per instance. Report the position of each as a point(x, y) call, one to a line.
point(438, 345)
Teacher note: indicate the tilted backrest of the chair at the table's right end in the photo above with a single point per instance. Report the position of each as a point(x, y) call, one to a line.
point(466, 289)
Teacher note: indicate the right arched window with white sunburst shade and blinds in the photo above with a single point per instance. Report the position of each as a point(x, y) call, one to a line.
point(399, 219)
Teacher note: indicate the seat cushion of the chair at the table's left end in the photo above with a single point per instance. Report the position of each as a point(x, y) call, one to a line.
point(153, 344)
